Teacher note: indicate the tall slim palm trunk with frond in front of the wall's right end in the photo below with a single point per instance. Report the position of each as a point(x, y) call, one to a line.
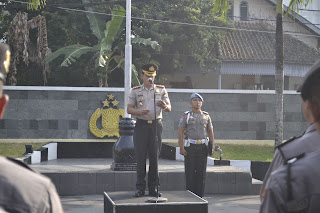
point(294, 5)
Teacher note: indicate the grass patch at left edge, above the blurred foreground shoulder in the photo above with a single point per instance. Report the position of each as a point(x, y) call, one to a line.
point(16, 150)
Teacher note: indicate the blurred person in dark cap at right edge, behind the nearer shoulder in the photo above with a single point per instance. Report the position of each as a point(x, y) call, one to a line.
point(310, 140)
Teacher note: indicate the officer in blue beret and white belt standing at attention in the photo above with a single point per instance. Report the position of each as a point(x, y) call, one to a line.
point(194, 129)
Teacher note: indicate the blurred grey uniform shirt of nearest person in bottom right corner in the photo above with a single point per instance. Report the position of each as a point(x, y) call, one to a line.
point(305, 187)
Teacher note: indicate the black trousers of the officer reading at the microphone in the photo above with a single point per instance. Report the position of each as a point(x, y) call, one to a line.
point(145, 144)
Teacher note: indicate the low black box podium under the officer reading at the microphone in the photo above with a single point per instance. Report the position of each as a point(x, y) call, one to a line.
point(177, 201)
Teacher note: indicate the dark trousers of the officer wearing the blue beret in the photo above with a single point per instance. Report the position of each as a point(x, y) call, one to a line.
point(195, 164)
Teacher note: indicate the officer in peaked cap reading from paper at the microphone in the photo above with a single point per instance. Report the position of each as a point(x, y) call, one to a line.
point(144, 137)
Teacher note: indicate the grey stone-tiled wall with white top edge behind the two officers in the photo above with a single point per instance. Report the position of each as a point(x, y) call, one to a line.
point(64, 113)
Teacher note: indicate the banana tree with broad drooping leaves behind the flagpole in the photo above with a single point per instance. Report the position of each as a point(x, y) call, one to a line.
point(109, 52)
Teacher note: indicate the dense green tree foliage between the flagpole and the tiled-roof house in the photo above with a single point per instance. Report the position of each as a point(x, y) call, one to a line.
point(181, 44)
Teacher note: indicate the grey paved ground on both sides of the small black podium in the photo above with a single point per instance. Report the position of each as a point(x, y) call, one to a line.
point(217, 203)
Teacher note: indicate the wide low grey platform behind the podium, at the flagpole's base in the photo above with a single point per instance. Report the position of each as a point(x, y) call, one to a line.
point(87, 176)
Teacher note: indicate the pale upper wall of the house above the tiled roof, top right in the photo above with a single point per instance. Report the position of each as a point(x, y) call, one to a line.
point(261, 9)
